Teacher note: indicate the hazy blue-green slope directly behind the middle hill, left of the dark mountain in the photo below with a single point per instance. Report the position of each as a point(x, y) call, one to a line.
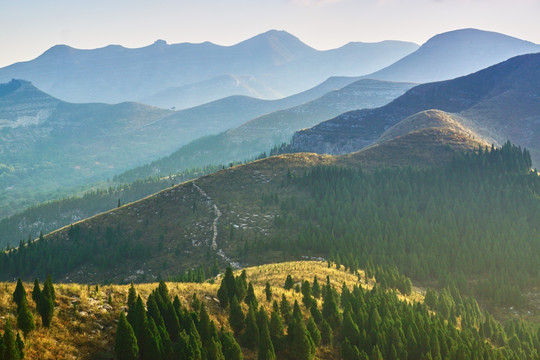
point(261, 133)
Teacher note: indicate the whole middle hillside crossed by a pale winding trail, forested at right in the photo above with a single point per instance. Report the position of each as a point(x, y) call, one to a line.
point(474, 221)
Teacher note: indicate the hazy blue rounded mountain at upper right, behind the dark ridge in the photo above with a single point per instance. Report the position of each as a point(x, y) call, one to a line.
point(455, 53)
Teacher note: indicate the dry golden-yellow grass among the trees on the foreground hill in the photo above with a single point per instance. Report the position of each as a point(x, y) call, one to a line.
point(85, 318)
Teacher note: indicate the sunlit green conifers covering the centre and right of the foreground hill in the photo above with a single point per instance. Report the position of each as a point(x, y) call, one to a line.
point(351, 324)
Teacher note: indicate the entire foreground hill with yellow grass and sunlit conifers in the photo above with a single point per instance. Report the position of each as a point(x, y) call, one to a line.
point(296, 310)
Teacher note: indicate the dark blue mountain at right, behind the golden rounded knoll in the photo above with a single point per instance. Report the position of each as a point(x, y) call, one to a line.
point(499, 103)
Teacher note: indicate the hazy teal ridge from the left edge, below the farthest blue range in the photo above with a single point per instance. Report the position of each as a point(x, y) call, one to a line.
point(48, 145)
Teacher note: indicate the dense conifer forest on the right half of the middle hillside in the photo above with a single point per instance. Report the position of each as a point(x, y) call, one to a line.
point(474, 222)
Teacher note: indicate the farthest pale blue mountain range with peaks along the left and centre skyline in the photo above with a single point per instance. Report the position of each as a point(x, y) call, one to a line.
point(113, 74)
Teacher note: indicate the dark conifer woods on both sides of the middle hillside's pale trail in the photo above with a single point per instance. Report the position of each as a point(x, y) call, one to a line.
point(473, 222)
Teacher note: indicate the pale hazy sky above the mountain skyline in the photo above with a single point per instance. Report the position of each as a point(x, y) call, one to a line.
point(29, 27)
